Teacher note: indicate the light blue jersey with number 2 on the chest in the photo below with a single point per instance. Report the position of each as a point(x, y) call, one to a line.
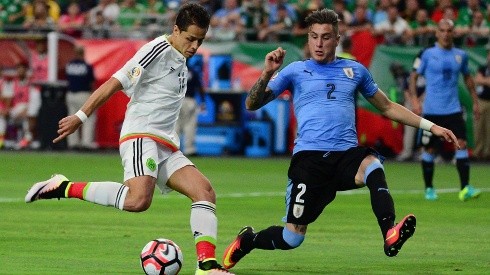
point(323, 98)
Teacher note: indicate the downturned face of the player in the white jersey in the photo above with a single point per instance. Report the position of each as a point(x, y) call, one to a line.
point(187, 42)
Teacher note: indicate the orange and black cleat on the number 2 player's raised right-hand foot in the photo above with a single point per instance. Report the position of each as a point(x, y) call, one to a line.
point(398, 234)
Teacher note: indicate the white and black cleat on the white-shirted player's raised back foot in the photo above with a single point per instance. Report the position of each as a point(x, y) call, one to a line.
point(49, 189)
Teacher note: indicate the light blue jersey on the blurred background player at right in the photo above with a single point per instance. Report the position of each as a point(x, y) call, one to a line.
point(440, 68)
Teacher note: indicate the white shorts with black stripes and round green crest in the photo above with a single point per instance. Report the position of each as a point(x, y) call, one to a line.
point(144, 156)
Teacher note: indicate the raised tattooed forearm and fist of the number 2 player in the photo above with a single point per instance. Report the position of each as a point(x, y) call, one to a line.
point(259, 95)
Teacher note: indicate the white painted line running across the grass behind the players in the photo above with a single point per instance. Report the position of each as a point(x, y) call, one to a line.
point(281, 194)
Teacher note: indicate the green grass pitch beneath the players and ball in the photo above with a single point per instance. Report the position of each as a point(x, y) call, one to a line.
point(75, 237)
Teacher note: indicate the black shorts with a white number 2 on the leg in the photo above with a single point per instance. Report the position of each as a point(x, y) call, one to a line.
point(316, 176)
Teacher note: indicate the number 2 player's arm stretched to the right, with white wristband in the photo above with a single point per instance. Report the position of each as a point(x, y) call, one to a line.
point(397, 112)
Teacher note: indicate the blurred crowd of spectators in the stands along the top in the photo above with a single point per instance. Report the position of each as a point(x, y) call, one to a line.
point(398, 22)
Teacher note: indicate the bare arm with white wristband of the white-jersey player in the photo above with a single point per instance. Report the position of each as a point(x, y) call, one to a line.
point(70, 124)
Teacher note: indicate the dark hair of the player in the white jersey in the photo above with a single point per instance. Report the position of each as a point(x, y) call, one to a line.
point(192, 14)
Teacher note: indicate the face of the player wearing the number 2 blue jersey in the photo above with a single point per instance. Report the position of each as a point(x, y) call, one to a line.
point(322, 41)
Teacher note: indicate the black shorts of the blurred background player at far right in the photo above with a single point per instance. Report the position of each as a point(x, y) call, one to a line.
point(454, 122)
